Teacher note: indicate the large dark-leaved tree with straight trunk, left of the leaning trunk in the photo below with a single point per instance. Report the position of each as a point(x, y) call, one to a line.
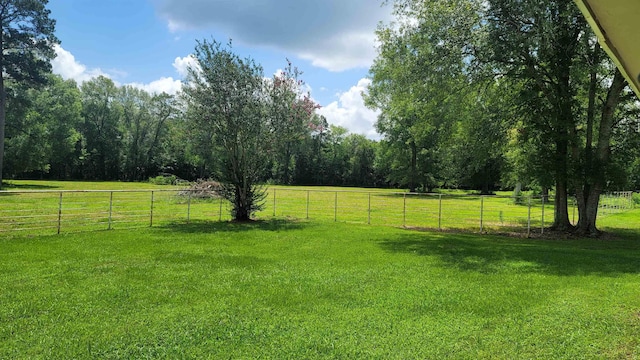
point(538, 43)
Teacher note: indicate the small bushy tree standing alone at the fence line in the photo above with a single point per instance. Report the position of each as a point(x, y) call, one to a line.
point(226, 98)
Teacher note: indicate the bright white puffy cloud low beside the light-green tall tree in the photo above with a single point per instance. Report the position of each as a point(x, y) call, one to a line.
point(350, 112)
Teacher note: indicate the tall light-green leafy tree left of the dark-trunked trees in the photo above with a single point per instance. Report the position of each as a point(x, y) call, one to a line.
point(422, 66)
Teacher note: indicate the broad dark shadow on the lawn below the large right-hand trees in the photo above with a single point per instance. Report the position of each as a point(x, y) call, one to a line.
point(490, 254)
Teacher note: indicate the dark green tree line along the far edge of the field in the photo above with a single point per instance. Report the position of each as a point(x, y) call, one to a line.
point(100, 131)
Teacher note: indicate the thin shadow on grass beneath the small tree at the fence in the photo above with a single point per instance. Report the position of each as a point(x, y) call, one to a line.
point(204, 226)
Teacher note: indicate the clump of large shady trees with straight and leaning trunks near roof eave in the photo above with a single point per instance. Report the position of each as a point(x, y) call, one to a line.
point(548, 46)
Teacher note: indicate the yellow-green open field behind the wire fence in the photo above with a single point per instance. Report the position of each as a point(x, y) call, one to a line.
point(51, 212)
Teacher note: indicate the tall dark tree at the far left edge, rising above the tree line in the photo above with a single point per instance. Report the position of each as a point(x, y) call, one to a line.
point(26, 45)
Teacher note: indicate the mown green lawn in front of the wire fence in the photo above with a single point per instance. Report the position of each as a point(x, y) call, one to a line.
point(314, 289)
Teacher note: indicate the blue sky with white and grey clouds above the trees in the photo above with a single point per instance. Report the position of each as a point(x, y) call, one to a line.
point(146, 43)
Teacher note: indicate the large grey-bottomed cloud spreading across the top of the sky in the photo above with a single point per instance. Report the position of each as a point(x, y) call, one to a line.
point(335, 35)
